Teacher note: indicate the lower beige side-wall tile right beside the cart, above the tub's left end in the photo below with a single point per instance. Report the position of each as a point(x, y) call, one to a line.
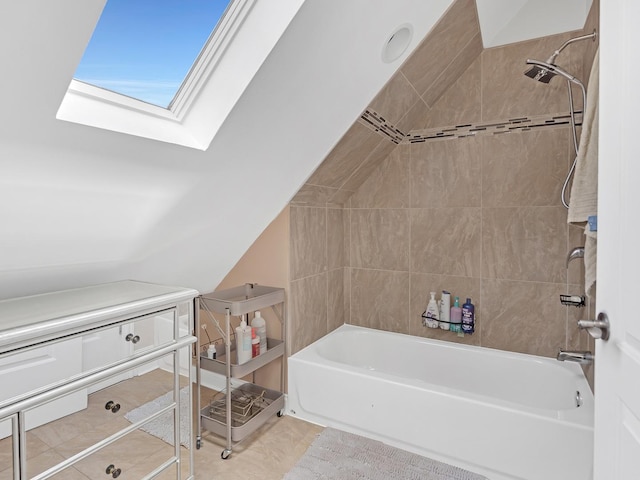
point(308, 315)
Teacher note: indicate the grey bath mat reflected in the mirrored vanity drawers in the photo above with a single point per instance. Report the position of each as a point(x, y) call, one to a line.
point(162, 427)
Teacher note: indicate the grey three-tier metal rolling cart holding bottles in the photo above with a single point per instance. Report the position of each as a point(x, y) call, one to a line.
point(238, 411)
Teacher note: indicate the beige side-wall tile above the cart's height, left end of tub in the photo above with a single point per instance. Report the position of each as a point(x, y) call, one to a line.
point(308, 241)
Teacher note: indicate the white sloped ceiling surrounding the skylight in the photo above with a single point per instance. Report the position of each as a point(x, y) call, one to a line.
point(80, 205)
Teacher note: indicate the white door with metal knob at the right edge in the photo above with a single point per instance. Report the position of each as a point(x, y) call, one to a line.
point(617, 376)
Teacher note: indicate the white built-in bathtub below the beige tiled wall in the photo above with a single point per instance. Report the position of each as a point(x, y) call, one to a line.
point(504, 415)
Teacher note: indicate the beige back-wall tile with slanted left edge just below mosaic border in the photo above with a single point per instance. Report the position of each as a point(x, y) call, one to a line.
point(388, 185)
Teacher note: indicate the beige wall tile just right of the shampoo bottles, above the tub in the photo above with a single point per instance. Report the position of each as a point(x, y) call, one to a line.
point(523, 317)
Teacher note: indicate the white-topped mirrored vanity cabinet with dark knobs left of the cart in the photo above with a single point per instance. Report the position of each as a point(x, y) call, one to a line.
point(56, 347)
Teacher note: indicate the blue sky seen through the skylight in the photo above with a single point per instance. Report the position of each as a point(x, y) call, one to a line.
point(145, 48)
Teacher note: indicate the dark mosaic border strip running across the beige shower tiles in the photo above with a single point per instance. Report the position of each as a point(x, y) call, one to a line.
point(377, 122)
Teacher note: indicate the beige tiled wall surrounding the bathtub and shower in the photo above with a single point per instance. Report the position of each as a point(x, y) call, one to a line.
point(480, 216)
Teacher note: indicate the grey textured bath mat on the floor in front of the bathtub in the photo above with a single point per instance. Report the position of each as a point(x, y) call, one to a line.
point(337, 455)
